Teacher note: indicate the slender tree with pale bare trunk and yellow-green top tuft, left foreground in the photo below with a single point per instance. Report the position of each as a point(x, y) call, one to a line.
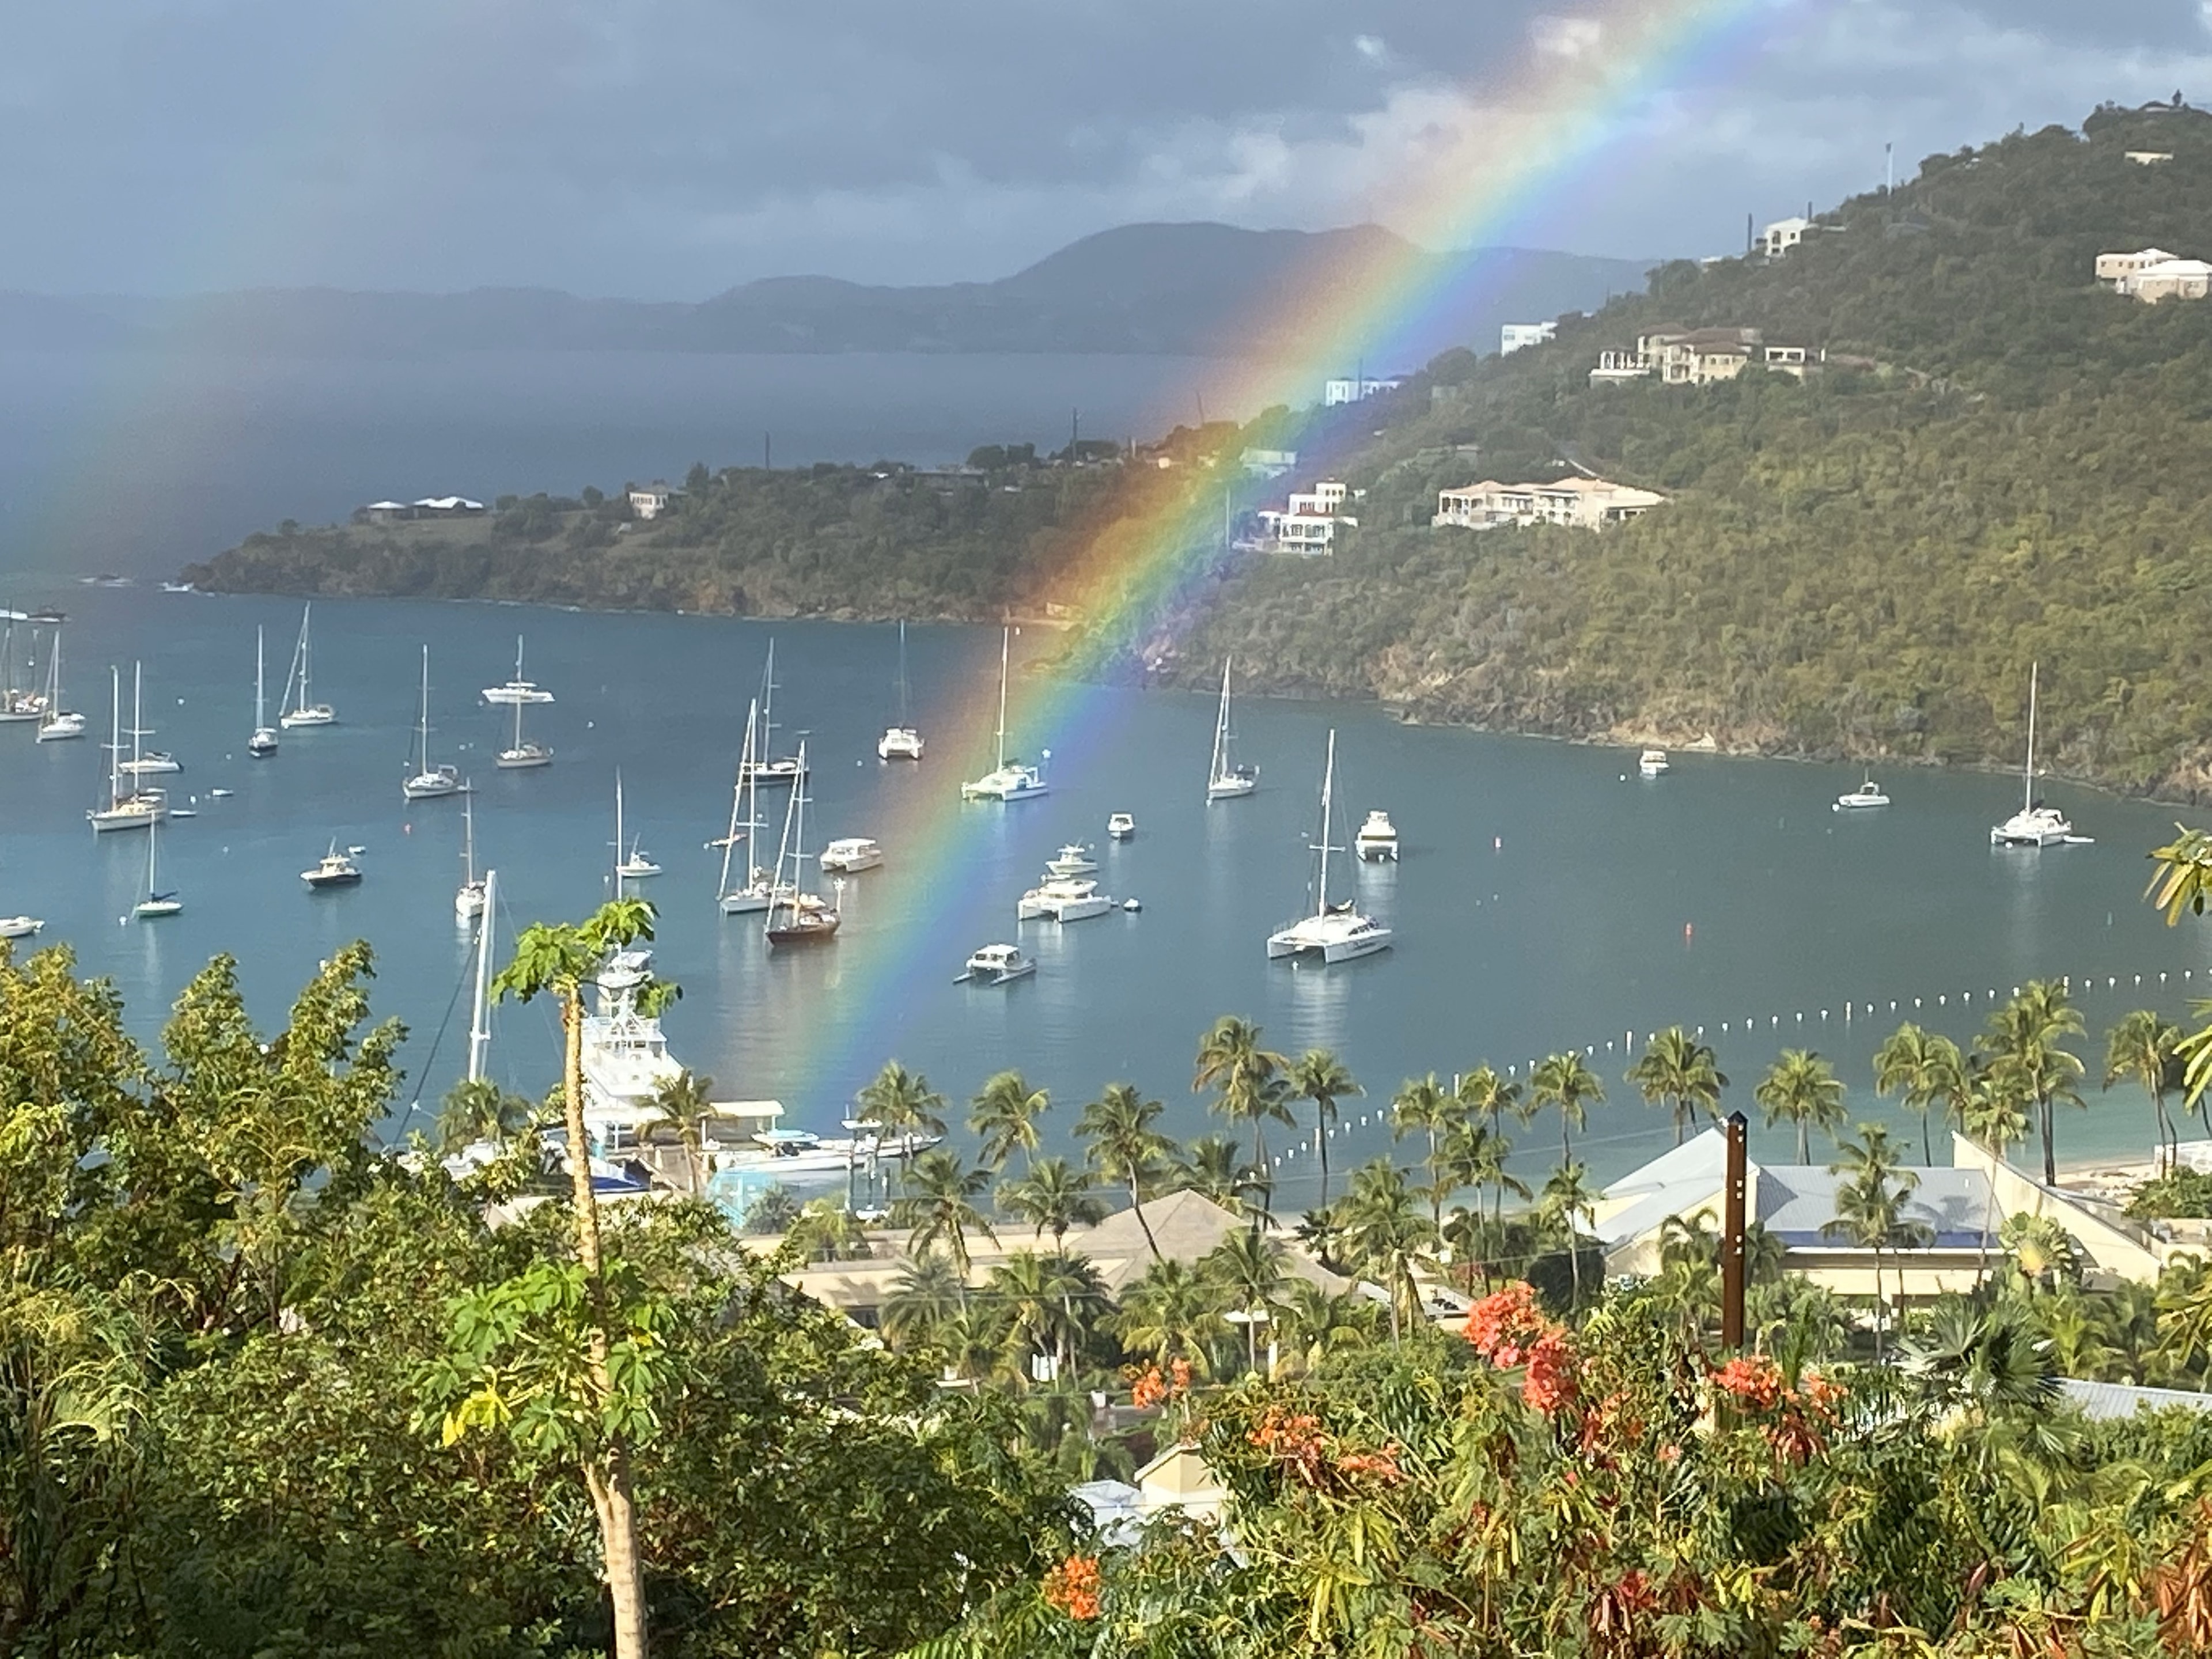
point(561, 961)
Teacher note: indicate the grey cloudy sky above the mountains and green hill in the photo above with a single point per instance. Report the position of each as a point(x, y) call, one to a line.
point(669, 149)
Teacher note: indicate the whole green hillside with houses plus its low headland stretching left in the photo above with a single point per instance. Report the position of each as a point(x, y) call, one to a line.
point(1866, 474)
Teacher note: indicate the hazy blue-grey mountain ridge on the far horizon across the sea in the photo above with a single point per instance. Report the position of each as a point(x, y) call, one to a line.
point(1154, 289)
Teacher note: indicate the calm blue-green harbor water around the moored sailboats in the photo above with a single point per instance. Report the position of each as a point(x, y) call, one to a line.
point(1547, 897)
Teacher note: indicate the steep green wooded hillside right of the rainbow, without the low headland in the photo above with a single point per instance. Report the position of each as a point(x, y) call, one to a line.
point(1859, 565)
